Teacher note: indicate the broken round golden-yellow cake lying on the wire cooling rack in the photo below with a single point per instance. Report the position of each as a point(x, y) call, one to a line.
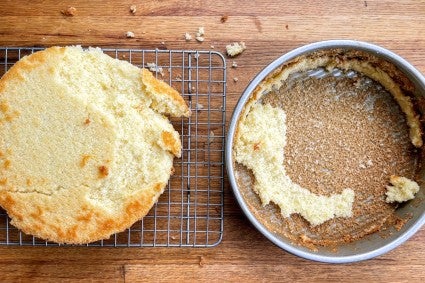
point(86, 148)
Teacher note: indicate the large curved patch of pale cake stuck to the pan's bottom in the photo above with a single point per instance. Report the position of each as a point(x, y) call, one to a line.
point(259, 146)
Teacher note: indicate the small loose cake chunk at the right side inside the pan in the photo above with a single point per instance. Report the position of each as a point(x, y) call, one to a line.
point(402, 189)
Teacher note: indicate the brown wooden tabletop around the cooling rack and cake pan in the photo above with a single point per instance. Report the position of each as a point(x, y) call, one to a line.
point(269, 28)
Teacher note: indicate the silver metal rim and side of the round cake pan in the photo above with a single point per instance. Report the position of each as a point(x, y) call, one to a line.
point(372, 245)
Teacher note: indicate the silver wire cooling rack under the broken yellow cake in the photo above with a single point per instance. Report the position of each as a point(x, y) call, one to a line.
point(190, 212)
